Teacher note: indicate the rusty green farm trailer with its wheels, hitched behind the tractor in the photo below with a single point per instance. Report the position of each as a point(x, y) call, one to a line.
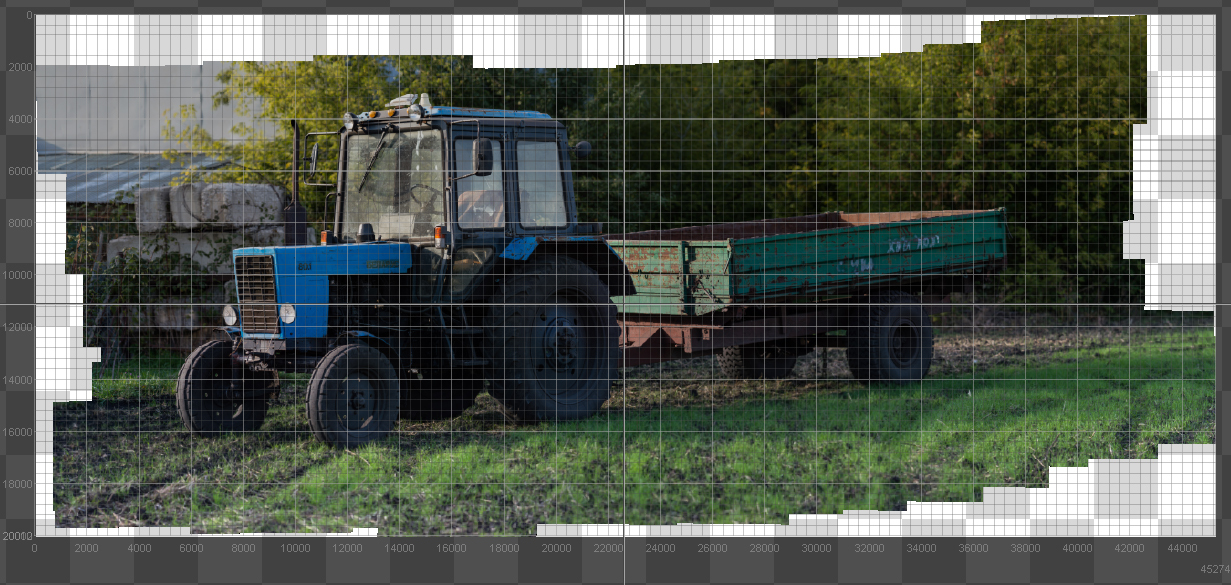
point(764, 294)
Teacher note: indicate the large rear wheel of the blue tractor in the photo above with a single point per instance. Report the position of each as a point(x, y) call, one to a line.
point(553, 347)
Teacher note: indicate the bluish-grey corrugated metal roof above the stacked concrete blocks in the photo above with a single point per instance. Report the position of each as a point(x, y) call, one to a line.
point(98, 178)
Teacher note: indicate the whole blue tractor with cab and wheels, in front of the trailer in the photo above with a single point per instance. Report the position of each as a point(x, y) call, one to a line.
point(456, 259)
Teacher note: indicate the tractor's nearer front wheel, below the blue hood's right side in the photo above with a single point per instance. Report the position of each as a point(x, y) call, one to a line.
point(353, 396)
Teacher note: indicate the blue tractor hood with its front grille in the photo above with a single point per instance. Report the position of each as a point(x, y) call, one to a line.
point(273, 276)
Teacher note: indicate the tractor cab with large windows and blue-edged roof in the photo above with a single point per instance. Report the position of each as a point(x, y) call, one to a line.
point(409, 169)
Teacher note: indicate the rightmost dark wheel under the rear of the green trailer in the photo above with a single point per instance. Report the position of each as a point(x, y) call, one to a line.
point(893, 343)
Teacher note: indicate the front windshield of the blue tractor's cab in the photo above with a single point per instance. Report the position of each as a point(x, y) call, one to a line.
point(401, 192)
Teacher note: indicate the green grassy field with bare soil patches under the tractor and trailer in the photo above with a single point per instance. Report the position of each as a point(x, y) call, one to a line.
point(676, 443)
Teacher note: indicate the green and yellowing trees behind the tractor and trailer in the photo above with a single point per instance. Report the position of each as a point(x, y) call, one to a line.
point(1037, 118)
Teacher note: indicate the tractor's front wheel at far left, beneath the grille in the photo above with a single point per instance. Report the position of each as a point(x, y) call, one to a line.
point(215, 395)
